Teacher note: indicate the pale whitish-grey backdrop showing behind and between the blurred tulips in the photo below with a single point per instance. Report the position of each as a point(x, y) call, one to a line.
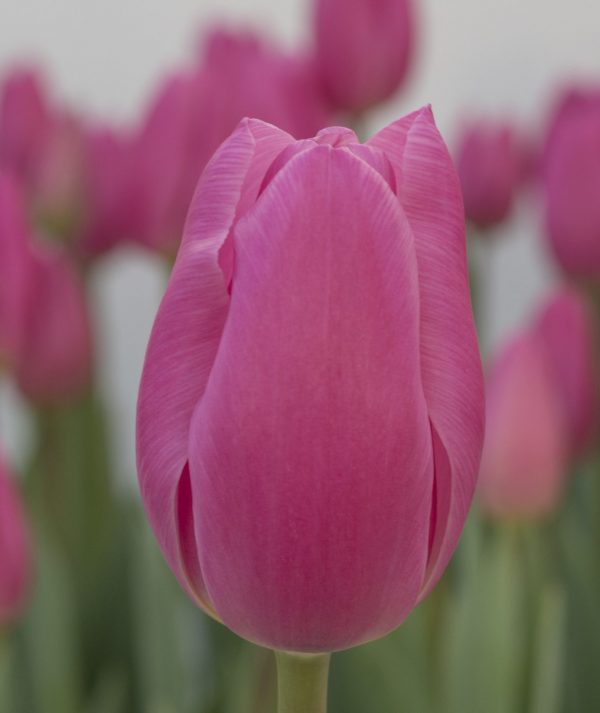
point(503, 56)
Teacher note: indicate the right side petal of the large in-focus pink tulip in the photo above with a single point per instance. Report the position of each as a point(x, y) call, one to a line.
point(429, 191)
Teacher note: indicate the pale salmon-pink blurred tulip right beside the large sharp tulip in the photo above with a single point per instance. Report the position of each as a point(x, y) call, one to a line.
point(523, 467)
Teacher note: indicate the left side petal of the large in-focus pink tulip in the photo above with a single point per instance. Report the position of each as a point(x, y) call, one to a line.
point(186, 335)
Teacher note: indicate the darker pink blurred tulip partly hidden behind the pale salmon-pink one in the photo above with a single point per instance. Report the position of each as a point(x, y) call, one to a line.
point(565, 326)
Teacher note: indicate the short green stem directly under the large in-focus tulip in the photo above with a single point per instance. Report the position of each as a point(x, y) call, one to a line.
point(302, 682)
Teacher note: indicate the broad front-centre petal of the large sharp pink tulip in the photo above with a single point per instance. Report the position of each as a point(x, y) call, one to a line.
point(310, 451)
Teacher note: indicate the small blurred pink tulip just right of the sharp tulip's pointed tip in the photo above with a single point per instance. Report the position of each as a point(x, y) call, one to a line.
point(490, 167)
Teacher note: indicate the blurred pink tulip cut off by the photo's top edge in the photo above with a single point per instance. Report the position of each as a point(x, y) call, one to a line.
point(363, 49)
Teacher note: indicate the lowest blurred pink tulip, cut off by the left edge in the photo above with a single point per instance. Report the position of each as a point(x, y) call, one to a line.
point(15, 555)
